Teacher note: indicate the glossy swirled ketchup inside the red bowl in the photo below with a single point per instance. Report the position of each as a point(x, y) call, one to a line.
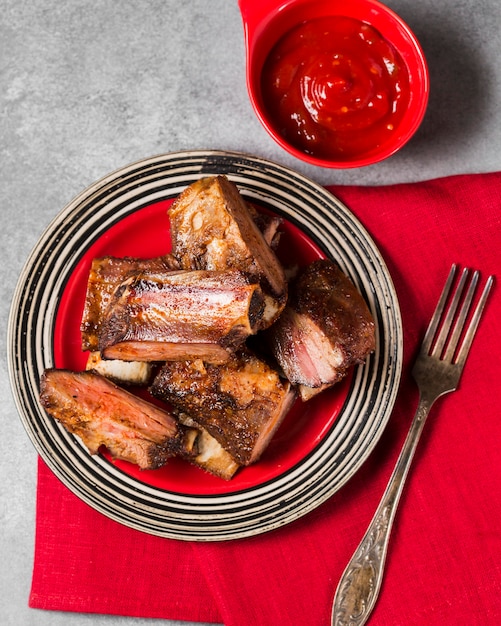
point(335, 88)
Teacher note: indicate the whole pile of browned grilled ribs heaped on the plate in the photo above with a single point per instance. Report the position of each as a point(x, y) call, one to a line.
point(193, 310)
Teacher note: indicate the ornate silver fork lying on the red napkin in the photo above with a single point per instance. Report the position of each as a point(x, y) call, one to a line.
point(437, 371)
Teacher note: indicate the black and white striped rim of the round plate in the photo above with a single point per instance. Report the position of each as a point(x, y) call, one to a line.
point(207, 517)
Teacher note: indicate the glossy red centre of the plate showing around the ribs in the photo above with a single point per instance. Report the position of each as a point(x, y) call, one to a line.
point(145, 233)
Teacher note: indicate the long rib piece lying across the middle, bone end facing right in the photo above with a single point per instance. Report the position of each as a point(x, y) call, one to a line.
point(180, 315)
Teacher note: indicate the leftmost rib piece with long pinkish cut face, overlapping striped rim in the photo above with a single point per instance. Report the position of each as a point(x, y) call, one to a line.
point(102, 414)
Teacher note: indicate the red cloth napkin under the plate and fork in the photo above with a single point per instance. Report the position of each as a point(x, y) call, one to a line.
point(444, 560)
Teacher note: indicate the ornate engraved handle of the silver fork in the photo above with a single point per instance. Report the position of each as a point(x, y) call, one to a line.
point(360, 583)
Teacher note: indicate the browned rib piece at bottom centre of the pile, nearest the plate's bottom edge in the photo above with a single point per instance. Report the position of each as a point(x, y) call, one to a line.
point(240, 403)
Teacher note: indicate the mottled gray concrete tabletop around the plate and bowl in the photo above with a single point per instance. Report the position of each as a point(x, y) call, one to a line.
point(87, 87)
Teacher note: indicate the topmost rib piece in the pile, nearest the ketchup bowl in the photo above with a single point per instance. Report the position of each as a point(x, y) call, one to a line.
point(213, 228)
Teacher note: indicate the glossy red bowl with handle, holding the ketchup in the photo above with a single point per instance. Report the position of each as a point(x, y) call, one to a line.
point(266, 21)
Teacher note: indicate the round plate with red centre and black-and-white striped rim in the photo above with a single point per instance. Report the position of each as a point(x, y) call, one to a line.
point(320, 445)
